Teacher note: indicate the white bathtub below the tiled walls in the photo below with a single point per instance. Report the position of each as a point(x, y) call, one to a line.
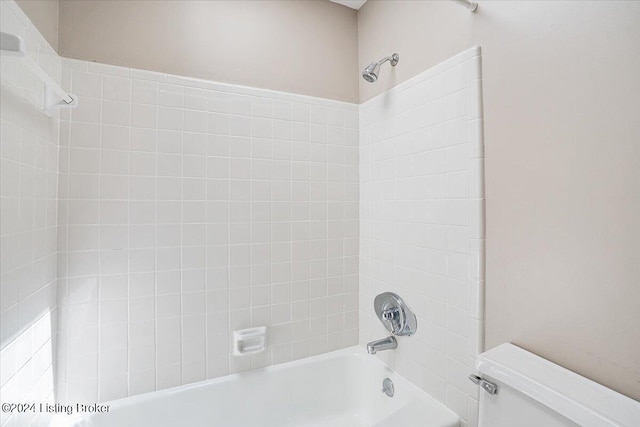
point(338, 389)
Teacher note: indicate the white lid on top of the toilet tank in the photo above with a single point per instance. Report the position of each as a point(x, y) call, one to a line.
point(577, 398)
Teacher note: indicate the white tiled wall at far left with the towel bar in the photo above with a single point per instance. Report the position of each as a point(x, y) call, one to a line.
point(28, 198)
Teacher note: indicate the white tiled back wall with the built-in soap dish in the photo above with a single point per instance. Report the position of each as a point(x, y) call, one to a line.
point(190, 209)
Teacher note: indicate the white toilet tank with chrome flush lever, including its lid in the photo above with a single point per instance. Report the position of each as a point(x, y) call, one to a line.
point(533, 392)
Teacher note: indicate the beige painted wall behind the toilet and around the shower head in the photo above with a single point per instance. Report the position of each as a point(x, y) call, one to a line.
point(562, 131)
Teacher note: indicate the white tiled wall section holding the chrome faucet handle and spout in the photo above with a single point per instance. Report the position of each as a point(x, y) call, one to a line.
point(422, 224)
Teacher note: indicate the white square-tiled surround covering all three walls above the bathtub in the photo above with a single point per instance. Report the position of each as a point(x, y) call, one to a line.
point(141, 229)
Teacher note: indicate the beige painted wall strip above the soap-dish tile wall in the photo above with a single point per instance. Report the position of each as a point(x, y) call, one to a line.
point(304, 47)
